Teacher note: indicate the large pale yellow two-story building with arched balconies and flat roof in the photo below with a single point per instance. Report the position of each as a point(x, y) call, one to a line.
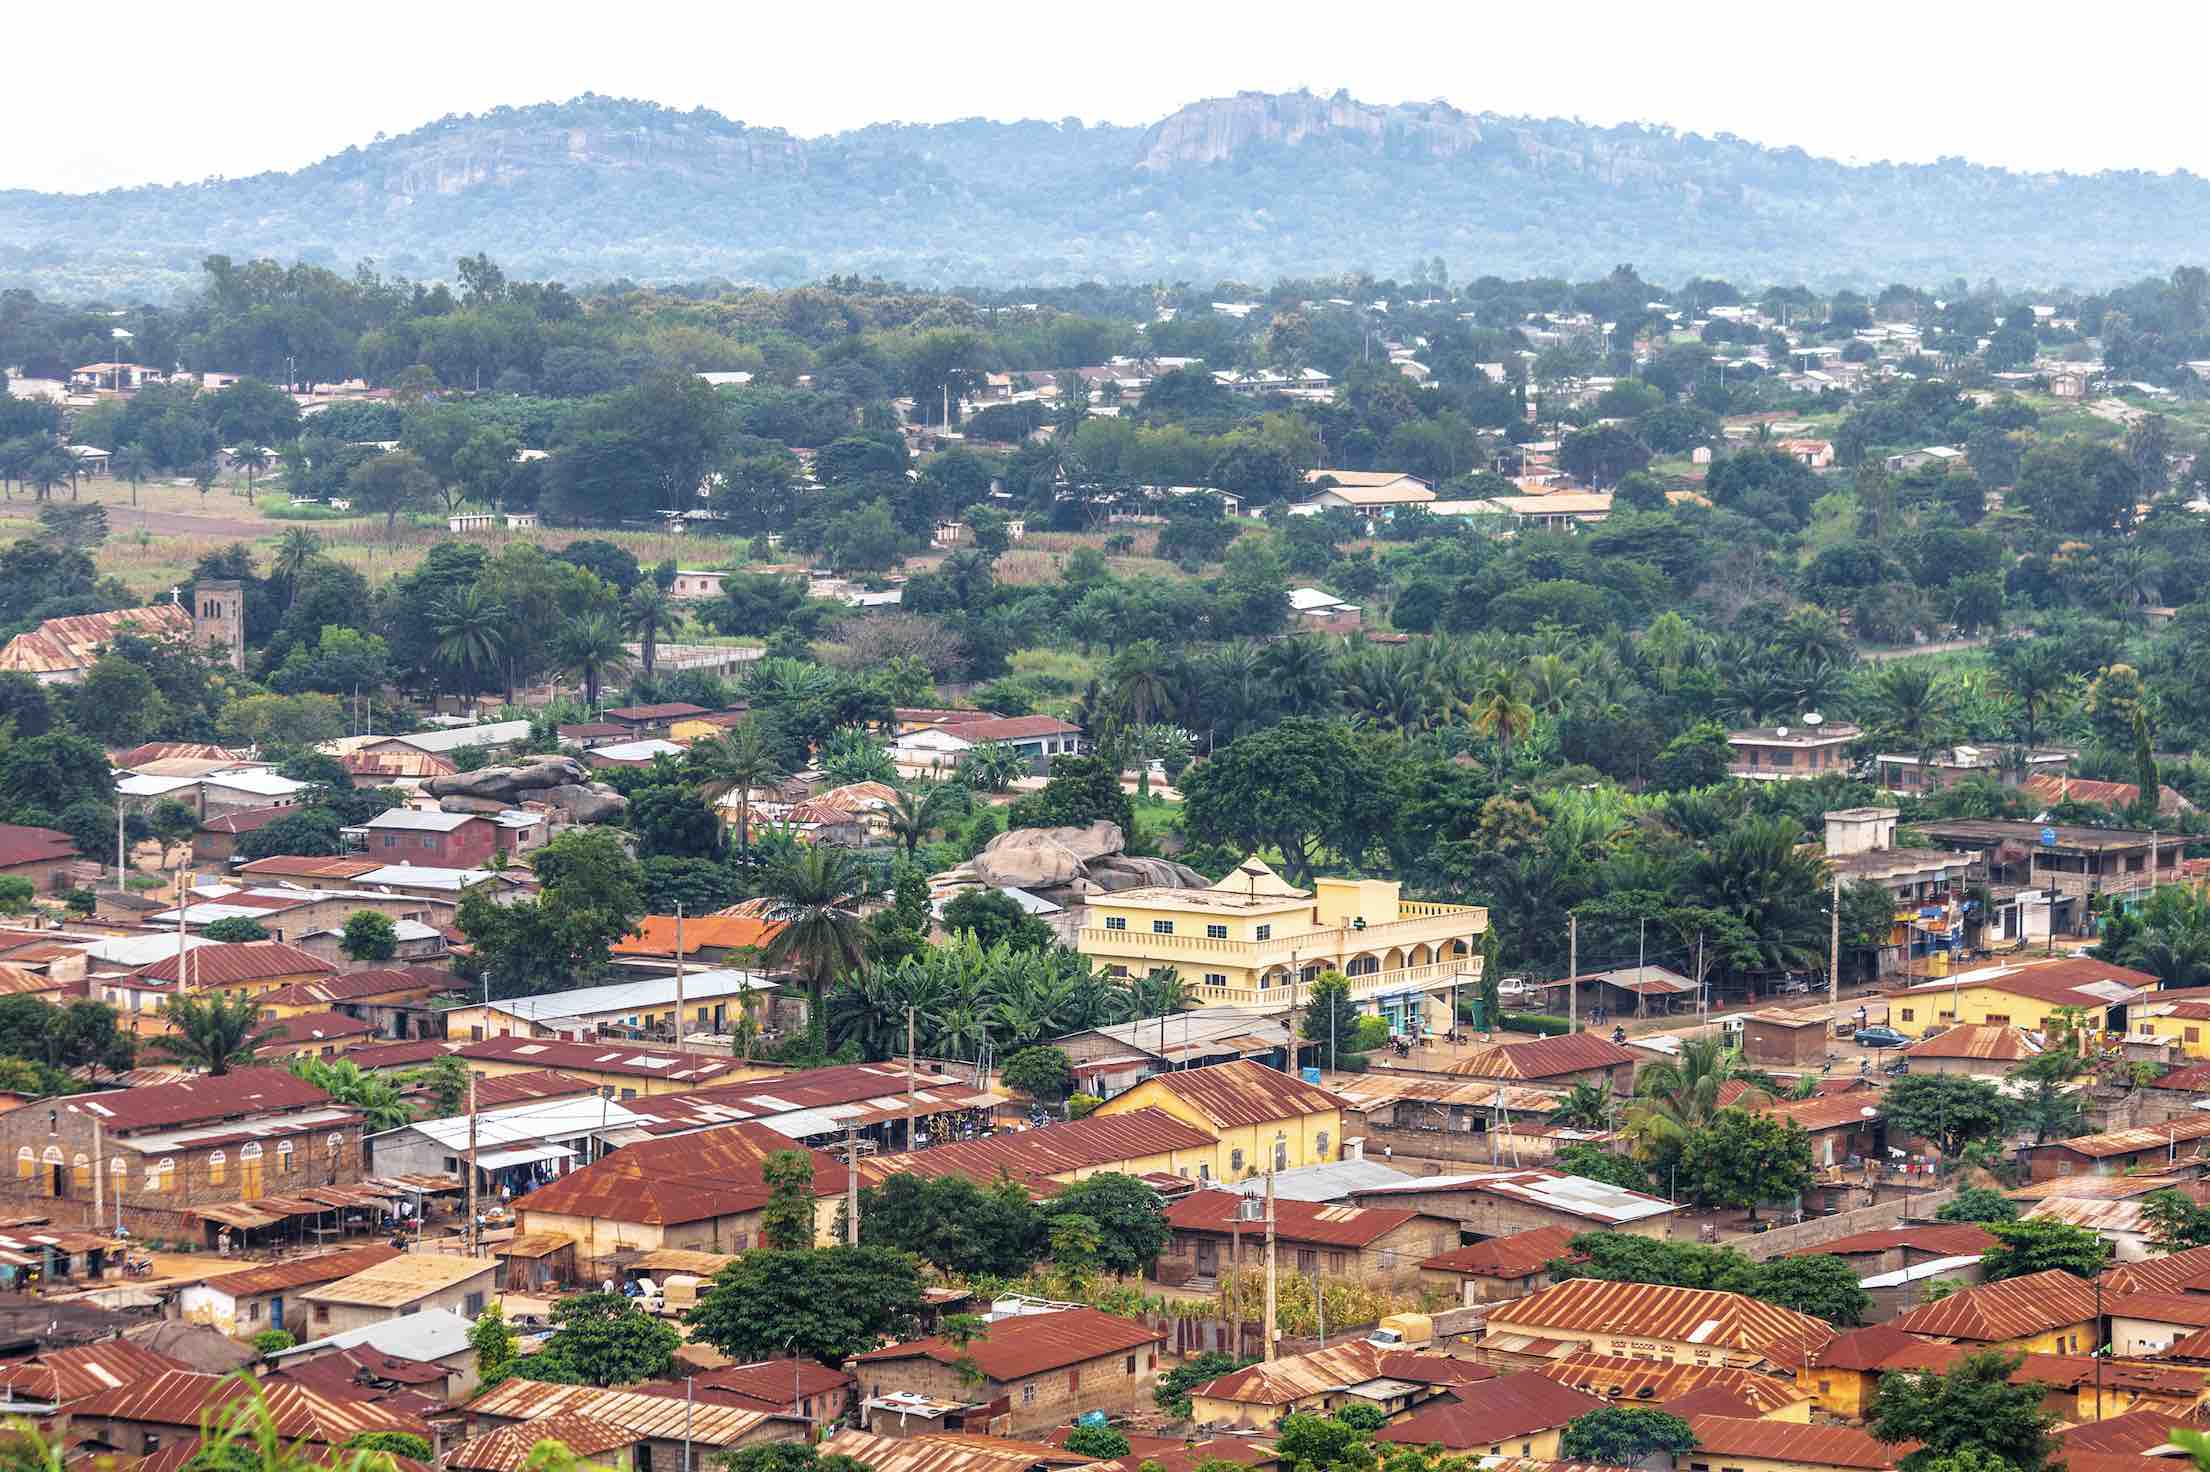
point(1259, 940)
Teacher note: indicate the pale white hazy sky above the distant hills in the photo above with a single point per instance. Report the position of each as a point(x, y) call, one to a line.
point(154, 94)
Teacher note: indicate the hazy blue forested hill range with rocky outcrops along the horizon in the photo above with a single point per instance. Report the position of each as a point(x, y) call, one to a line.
point(1236, 189)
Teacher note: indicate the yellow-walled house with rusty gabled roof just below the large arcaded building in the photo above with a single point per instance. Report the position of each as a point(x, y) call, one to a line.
point(1254, 1115)
